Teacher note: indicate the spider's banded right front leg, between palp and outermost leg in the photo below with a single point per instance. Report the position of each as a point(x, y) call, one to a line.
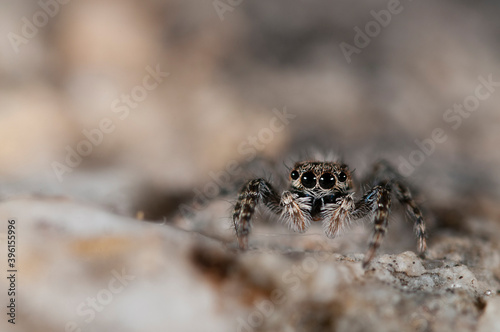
point(379, 199)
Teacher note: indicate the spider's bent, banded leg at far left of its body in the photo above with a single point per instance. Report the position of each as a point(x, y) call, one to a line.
point(252, 193)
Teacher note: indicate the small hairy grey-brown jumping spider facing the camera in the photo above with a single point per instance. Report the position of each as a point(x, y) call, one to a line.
point(324, 191)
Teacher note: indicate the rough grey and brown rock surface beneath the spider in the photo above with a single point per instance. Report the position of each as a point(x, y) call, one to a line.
point(82, 267)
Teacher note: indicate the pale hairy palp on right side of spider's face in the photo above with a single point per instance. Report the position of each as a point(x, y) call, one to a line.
point(337, 215)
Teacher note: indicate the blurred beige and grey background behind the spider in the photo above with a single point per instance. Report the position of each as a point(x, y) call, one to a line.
point(131, 107)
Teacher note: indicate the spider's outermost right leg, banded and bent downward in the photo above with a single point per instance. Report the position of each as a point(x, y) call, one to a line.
point(404, 196)
